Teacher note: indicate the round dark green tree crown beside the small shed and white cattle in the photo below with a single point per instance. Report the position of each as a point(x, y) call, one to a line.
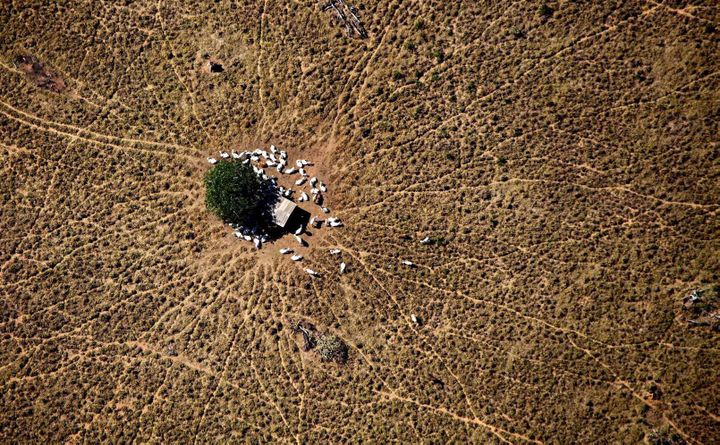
point(234, 193)
